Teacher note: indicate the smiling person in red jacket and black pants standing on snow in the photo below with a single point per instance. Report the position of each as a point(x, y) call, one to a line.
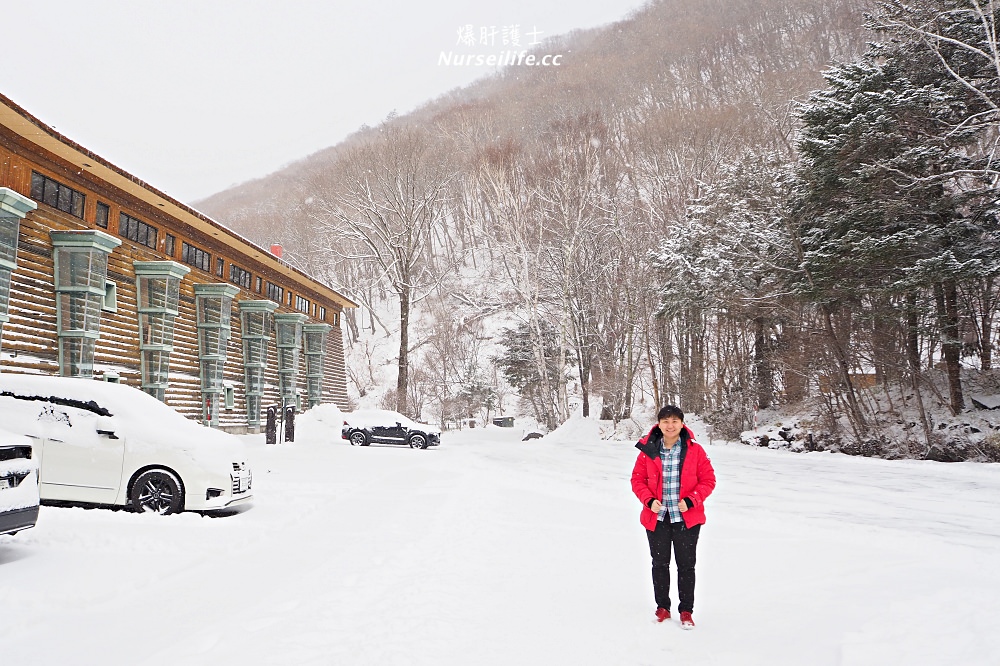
point(672, 478)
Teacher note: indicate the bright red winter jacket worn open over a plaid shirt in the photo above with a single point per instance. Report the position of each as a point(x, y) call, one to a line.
point(697, 476)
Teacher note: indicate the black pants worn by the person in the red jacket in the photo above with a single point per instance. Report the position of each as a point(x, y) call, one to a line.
point(685, 545)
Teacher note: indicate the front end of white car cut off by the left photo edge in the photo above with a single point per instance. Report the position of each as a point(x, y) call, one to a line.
point(18, 484)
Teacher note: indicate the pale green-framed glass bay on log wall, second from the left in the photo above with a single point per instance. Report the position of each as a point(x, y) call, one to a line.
point(81, 269)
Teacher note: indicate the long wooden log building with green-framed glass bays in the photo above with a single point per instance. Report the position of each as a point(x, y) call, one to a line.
point(104, 277)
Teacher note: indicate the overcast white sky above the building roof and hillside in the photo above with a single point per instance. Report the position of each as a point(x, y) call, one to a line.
point(194, 96)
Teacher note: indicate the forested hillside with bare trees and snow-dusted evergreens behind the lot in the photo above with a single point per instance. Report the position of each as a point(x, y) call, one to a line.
point(662, 219)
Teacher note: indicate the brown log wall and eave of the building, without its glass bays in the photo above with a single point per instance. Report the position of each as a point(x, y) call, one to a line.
point(30, 337)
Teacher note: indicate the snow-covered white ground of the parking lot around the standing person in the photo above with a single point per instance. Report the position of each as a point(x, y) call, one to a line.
point(494, 551)
